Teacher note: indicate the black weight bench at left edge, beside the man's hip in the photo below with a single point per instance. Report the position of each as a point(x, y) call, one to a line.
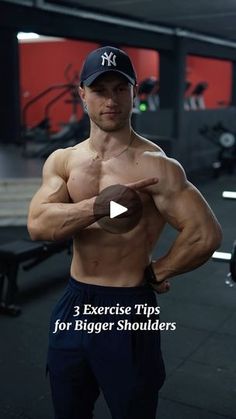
point(11, 256)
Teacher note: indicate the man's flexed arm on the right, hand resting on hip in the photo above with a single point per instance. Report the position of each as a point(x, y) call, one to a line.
point(183, 207)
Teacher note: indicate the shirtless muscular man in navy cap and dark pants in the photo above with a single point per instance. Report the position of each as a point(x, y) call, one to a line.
point(109, 269)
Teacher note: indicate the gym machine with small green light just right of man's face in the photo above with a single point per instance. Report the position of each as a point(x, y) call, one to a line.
point(147, 98)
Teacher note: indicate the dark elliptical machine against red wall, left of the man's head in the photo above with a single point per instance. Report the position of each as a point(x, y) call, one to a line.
point(38, 141)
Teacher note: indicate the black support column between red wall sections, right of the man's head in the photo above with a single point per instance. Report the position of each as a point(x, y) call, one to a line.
point(172, 84)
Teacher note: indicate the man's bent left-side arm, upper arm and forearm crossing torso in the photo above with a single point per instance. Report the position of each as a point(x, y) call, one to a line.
point(52, 216)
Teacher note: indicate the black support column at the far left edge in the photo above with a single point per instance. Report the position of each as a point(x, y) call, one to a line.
point(9, 86)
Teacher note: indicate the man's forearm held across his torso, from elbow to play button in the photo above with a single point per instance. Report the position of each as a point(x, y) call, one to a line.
point(59, 221)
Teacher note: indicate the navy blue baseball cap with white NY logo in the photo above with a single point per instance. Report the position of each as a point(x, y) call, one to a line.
point(107, 59)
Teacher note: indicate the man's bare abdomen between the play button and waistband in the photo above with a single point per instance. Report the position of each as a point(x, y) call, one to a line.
point(102, 258)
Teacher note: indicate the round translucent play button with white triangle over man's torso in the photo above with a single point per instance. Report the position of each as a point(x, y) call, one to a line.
point(123, 206)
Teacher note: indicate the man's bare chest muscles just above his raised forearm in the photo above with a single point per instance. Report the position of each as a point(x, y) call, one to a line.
point(88, 177)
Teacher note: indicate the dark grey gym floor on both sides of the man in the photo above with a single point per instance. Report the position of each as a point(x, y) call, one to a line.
point(199, 355)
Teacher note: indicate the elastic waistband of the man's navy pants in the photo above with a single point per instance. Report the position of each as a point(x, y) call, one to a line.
point(83, 286)
